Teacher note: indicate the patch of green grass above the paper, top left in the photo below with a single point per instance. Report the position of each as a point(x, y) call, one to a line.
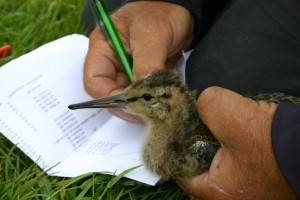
point(27, 24)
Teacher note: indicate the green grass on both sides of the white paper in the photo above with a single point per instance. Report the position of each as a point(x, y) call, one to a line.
point(26, 25)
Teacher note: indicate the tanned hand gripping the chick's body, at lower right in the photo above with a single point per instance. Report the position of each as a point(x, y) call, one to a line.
point(244, 167)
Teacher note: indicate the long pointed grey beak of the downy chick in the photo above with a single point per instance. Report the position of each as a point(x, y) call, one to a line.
point(106, 102)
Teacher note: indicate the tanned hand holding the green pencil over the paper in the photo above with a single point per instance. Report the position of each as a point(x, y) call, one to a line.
point(153, 33)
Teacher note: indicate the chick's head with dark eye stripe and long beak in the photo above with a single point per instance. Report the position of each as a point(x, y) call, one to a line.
point(159, 95)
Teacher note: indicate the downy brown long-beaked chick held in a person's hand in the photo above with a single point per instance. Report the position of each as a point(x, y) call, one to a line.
point(177, 142)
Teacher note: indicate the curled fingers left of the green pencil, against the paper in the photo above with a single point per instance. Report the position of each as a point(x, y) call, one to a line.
point(102, 71)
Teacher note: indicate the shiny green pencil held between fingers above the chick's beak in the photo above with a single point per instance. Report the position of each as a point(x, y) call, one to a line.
point(114, 38)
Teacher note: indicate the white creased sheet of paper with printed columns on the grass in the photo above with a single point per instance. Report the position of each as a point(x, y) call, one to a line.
point(35, 91)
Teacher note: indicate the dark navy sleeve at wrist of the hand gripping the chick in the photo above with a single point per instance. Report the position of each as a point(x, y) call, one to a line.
point(286, 142)
